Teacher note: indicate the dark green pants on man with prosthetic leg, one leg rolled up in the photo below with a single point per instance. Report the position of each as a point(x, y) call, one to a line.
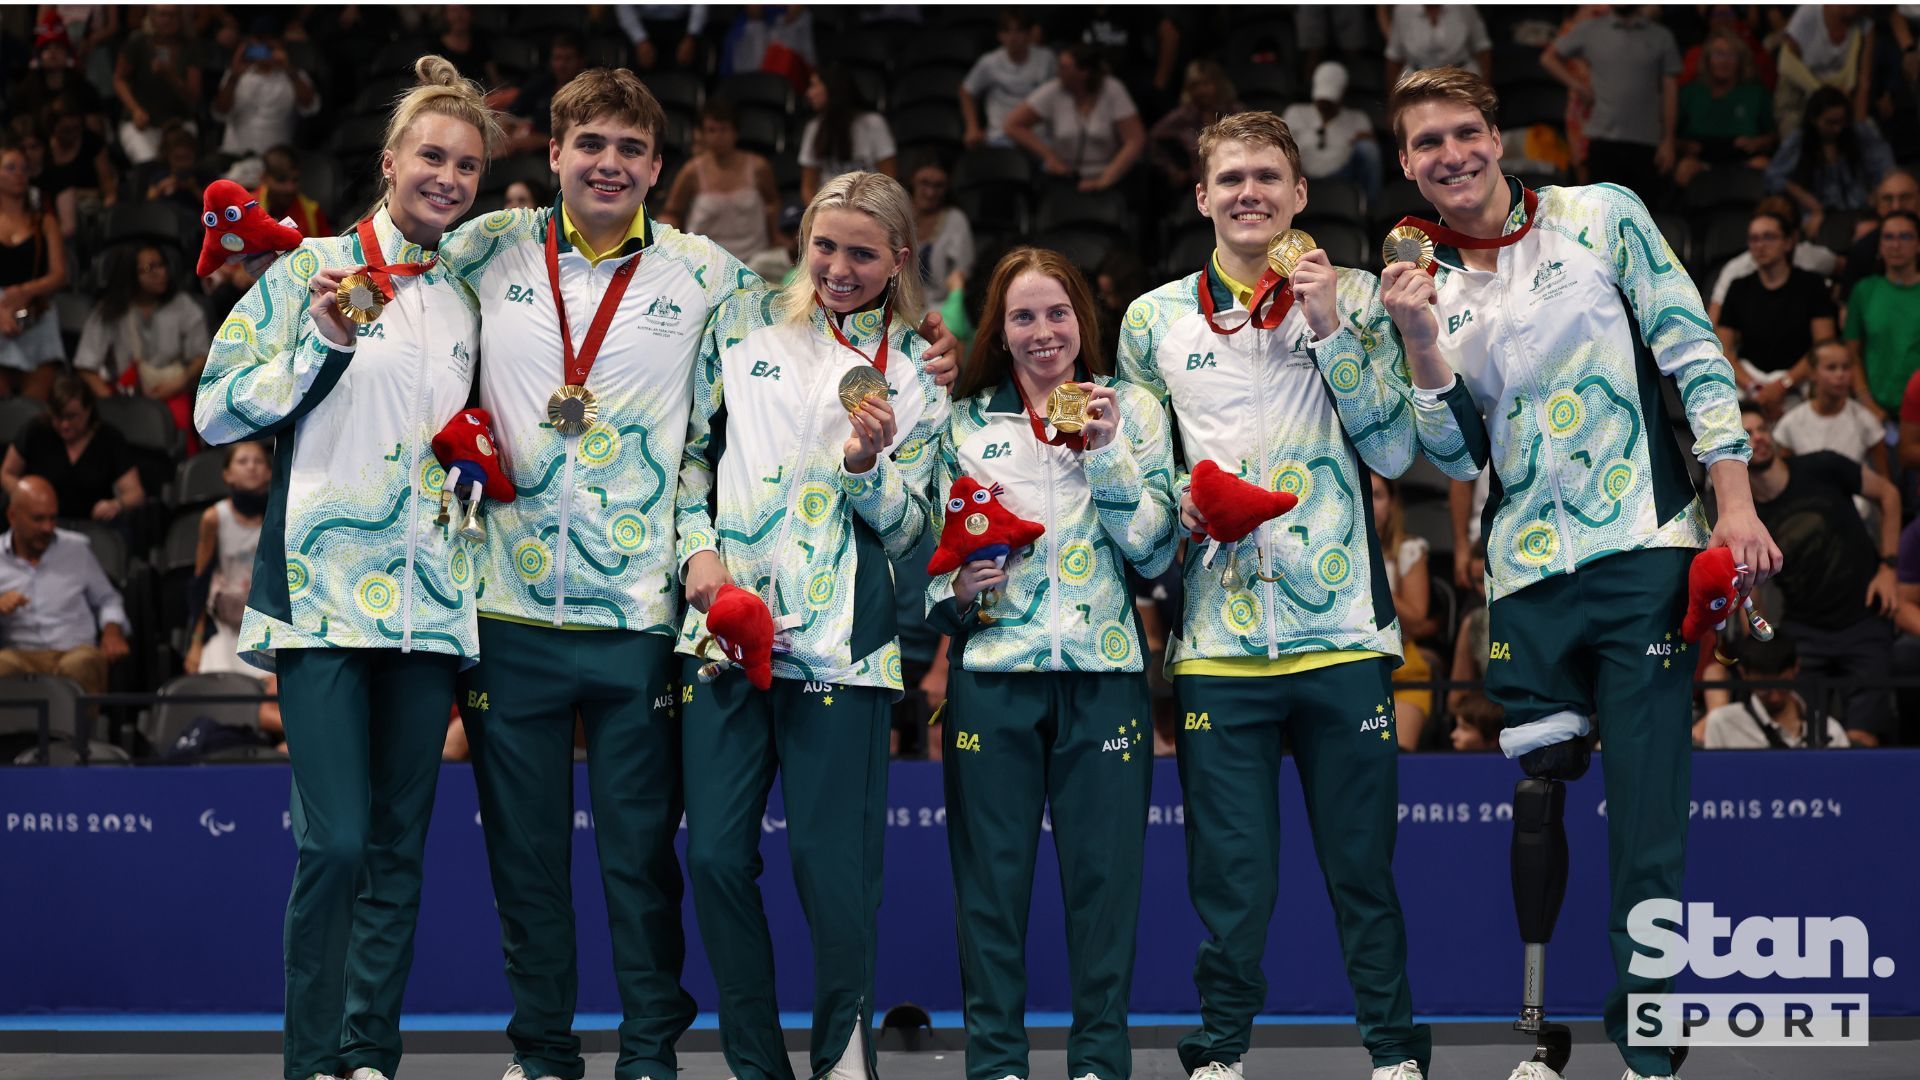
point(1606, 643)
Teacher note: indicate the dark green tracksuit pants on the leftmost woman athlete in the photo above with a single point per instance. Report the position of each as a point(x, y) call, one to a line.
point(364, 729)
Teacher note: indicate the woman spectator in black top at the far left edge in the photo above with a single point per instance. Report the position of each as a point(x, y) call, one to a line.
point(34, 268)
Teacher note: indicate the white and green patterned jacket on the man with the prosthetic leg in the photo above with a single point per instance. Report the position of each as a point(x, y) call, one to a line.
point(1564, 349)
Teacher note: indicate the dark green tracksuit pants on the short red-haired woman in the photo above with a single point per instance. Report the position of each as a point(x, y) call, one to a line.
point(1082, 749)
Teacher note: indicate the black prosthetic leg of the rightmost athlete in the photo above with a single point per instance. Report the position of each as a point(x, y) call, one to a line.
point(1541, 887)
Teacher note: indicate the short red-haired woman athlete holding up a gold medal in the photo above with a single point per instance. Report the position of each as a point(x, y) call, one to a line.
point(1047, 706)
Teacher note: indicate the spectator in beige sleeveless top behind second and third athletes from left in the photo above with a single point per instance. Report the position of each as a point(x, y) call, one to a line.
point(727, 193)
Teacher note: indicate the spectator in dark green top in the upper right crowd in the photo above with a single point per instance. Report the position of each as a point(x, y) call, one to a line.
point(1727, 118)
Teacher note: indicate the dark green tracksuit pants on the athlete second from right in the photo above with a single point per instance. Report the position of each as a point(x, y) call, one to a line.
point(1339, 725)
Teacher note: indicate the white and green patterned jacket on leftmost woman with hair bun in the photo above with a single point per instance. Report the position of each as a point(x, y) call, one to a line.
point(350, 554)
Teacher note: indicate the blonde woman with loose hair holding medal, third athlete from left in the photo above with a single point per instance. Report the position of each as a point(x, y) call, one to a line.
point(811, 504)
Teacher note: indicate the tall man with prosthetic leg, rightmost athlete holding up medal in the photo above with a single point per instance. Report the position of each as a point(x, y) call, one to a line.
point(1564, 312)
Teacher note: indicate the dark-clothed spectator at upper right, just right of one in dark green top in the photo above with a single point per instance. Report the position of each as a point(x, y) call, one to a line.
point(1831, 160)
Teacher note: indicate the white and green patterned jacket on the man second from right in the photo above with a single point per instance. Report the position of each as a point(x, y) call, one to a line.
point(1297, 416)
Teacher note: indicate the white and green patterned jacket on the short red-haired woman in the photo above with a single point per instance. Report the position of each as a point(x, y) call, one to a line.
point(1067, 604)
